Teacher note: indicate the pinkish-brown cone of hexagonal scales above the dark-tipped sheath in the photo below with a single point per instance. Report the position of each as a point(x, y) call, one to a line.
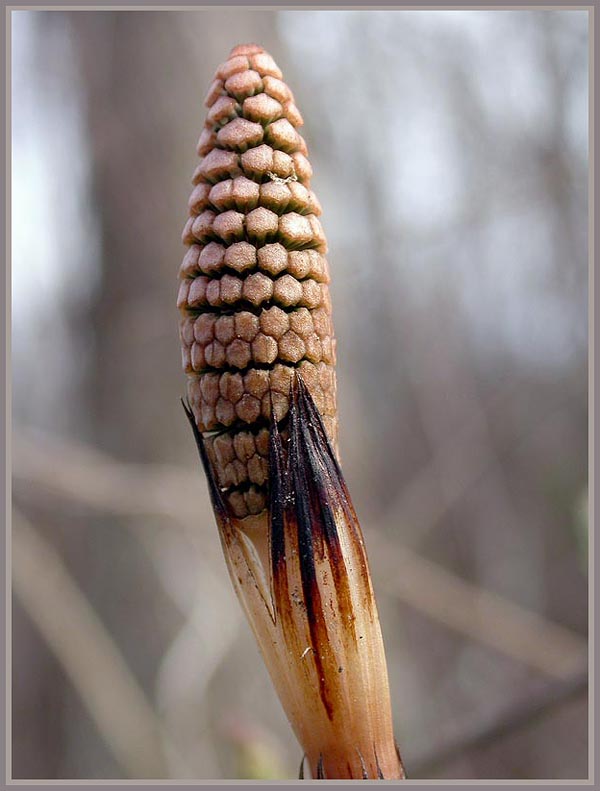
point(254, 296)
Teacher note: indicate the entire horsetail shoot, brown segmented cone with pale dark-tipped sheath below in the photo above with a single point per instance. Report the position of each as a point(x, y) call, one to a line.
point(259, 352)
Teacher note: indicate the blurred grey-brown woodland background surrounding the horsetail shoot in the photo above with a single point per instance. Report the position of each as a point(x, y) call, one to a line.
point(450, 152)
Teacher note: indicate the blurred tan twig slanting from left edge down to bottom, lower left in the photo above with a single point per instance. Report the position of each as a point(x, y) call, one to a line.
point(87, 653)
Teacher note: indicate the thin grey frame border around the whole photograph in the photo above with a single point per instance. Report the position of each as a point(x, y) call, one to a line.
point(5, 389)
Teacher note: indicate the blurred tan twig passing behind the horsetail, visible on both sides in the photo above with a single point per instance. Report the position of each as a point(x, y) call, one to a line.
point(88, 477)
